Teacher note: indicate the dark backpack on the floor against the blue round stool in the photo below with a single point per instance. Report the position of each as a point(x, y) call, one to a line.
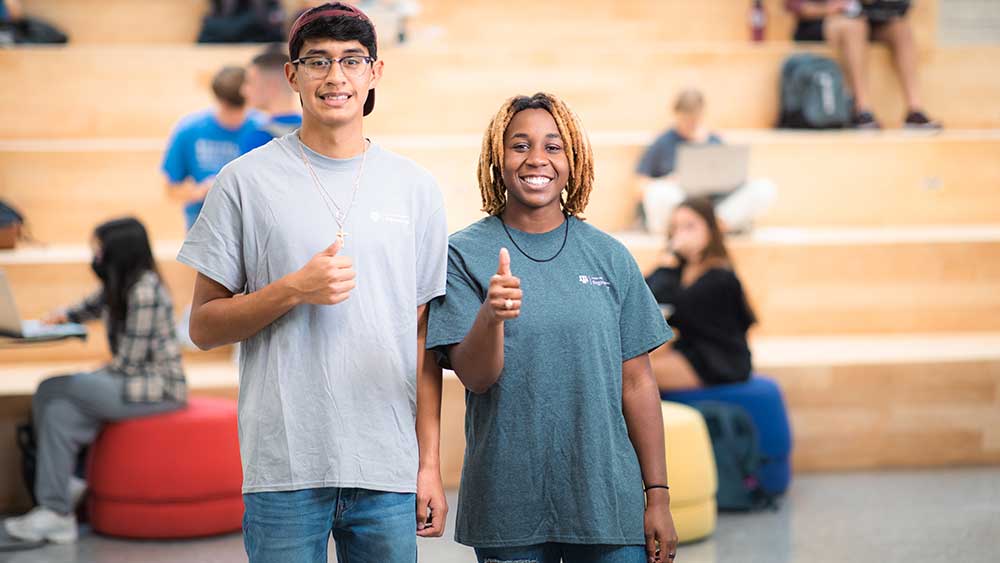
point(737, 456)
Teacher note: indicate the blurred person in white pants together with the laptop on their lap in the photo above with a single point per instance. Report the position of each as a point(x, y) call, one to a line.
point(688, 160)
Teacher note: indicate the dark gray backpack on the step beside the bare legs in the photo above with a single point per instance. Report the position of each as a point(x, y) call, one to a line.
point(812, 94)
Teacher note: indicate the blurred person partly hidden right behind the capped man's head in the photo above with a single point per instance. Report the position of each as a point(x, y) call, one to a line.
point(266, 89)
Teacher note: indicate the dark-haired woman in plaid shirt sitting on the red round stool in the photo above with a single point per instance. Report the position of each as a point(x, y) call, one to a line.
point(144, 377)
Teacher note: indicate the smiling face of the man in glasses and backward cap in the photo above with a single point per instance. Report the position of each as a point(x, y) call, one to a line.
point(337, 98)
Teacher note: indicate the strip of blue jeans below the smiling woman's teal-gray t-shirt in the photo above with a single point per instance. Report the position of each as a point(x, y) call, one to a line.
point(568, 553)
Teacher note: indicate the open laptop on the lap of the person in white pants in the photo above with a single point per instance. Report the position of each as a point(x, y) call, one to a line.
point(704, 170)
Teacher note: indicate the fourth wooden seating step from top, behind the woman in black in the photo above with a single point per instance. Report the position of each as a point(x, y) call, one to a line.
point(801, 281)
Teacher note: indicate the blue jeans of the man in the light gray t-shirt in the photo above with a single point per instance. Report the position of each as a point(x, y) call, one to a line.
point(295, 526)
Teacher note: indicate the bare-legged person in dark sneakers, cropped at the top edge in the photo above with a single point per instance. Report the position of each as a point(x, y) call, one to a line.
point(847, 26)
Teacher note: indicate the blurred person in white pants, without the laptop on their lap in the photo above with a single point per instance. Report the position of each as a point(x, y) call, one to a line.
point(737, 209)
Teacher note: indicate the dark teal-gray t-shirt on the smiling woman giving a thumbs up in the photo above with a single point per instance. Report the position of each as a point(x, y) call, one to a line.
point(548, 456)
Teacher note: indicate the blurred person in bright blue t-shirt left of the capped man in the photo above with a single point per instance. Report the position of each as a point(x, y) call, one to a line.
point(204, 142)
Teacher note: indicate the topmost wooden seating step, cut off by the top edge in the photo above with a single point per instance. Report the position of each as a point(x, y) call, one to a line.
point(178, 21)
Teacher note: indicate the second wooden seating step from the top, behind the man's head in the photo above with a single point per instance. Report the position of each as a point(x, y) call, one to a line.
point(133, 98)
